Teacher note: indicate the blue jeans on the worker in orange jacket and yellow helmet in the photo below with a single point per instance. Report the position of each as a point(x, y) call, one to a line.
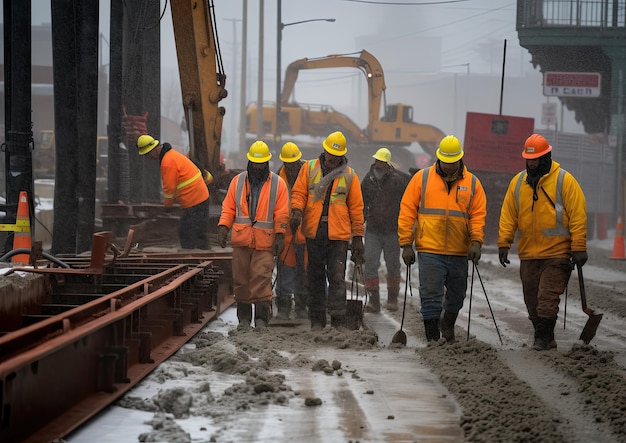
point(439, 275)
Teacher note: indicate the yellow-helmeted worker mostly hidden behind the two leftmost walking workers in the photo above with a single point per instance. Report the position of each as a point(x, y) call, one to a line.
point(291, 265)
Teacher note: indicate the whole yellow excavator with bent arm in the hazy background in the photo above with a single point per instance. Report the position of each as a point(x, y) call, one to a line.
point(395, 129)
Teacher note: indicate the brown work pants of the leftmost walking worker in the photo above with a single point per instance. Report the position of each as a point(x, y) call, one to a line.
point(252, 275)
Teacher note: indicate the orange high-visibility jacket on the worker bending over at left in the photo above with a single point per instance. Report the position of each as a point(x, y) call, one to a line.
point(182, 180)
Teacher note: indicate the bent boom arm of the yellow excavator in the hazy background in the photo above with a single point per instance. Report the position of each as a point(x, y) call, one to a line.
point(365, 61)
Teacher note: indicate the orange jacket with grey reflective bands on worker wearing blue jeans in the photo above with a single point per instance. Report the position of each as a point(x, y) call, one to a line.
point(438, 221)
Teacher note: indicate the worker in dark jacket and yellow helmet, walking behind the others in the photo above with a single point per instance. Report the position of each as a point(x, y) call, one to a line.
point(382, 188)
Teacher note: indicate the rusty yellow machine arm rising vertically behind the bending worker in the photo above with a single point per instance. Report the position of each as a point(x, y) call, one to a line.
point(202, 78)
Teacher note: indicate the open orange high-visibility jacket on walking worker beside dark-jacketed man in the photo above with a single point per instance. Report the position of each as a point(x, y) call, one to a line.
point(345, 210)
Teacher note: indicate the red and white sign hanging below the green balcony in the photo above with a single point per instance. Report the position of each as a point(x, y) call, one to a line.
point(571, 84)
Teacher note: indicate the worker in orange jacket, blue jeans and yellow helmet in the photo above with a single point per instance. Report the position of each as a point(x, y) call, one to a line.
point(443, 212)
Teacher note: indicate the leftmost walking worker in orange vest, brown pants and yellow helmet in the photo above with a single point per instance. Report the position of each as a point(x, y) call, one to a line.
point(256, 207)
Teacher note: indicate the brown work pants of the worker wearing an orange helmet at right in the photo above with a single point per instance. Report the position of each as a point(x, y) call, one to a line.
point(543, 282)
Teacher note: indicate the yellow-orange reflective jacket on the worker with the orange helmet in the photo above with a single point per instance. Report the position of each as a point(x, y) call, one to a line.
point(554, 225)
